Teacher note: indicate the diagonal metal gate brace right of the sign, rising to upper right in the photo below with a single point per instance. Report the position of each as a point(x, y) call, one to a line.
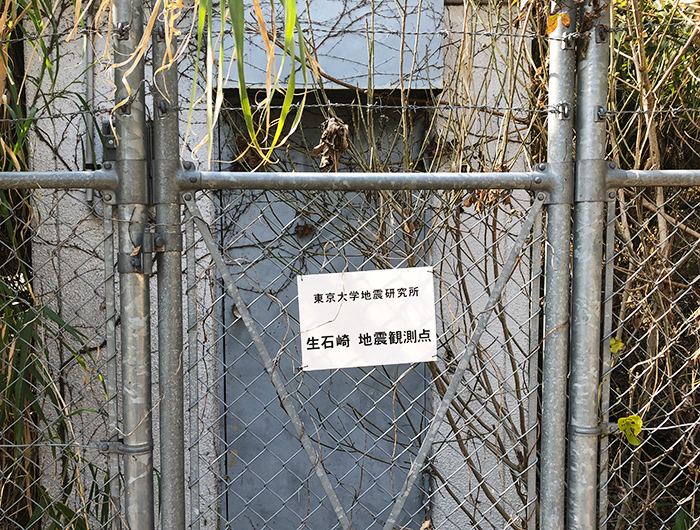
point(451, 392)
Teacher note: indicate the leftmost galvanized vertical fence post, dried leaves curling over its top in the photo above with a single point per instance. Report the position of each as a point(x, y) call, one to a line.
point(133, 265)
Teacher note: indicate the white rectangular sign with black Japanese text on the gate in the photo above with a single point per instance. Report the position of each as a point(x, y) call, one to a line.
point(368, 318)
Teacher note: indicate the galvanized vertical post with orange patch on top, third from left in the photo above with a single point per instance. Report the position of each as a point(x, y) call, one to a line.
point(562, 77)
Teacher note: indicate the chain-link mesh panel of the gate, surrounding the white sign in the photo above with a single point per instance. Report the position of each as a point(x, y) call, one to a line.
point(247, 465)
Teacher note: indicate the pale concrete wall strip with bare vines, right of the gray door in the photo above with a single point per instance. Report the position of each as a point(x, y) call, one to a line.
point(484, 71)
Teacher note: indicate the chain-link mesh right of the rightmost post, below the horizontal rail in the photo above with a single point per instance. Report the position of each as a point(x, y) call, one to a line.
point(652, 348)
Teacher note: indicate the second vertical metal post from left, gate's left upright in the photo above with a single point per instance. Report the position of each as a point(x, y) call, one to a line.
point(168, 245)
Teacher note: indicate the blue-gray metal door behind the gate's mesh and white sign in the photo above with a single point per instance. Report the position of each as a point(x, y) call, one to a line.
point(365, 423)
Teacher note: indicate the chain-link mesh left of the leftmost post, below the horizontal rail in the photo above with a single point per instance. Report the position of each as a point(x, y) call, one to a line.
point(57, 364)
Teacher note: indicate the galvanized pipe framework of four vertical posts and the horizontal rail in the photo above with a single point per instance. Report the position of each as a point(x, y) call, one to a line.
point(126, 186)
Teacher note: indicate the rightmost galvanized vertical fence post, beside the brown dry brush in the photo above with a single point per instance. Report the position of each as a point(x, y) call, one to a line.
point(589, 223)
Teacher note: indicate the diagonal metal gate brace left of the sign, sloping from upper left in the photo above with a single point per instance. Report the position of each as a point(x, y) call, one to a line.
point(282, 393)
